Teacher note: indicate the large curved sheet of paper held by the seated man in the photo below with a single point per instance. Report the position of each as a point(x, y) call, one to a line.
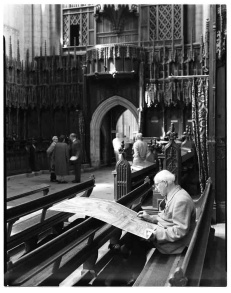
point(108, 211)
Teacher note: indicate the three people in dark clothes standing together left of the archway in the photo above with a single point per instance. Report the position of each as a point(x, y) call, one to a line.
point(61, 155)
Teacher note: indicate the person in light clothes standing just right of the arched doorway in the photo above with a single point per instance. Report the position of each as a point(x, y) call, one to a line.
point(140, 149)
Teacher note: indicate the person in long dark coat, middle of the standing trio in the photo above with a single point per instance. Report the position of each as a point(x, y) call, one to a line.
point(61, 159)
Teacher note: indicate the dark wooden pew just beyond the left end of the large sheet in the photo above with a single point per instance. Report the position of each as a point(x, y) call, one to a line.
point(28, 231)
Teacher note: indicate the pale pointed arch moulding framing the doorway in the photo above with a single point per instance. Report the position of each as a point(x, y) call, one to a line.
point(96, 121)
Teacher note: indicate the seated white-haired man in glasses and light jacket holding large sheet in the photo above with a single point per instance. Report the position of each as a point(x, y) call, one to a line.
point(176, 222)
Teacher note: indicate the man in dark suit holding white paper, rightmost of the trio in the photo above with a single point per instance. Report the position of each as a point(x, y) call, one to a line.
point(76, 158)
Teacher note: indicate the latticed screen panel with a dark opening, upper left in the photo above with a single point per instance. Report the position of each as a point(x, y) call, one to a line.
point(82, 17)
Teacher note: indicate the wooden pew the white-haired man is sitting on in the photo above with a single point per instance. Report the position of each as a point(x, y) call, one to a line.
point(183, 269)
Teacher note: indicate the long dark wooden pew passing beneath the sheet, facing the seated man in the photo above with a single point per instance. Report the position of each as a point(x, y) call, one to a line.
point(56, 260)
